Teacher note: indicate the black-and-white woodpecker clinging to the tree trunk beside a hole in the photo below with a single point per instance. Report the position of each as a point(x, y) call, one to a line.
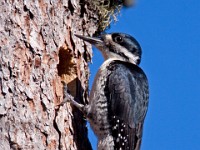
point(119, 96)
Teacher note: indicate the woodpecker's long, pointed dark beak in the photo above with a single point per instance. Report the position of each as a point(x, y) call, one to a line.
point(92, 40)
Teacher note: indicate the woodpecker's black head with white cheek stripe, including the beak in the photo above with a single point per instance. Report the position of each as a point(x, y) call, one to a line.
point(117, 46)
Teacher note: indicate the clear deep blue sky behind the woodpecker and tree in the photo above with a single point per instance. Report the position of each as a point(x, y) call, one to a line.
point(169, 34)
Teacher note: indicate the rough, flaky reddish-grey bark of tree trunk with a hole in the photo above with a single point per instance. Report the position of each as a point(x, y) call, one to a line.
point(37, 51)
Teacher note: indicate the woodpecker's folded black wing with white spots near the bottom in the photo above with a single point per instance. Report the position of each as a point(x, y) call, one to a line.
point(128, 98)
